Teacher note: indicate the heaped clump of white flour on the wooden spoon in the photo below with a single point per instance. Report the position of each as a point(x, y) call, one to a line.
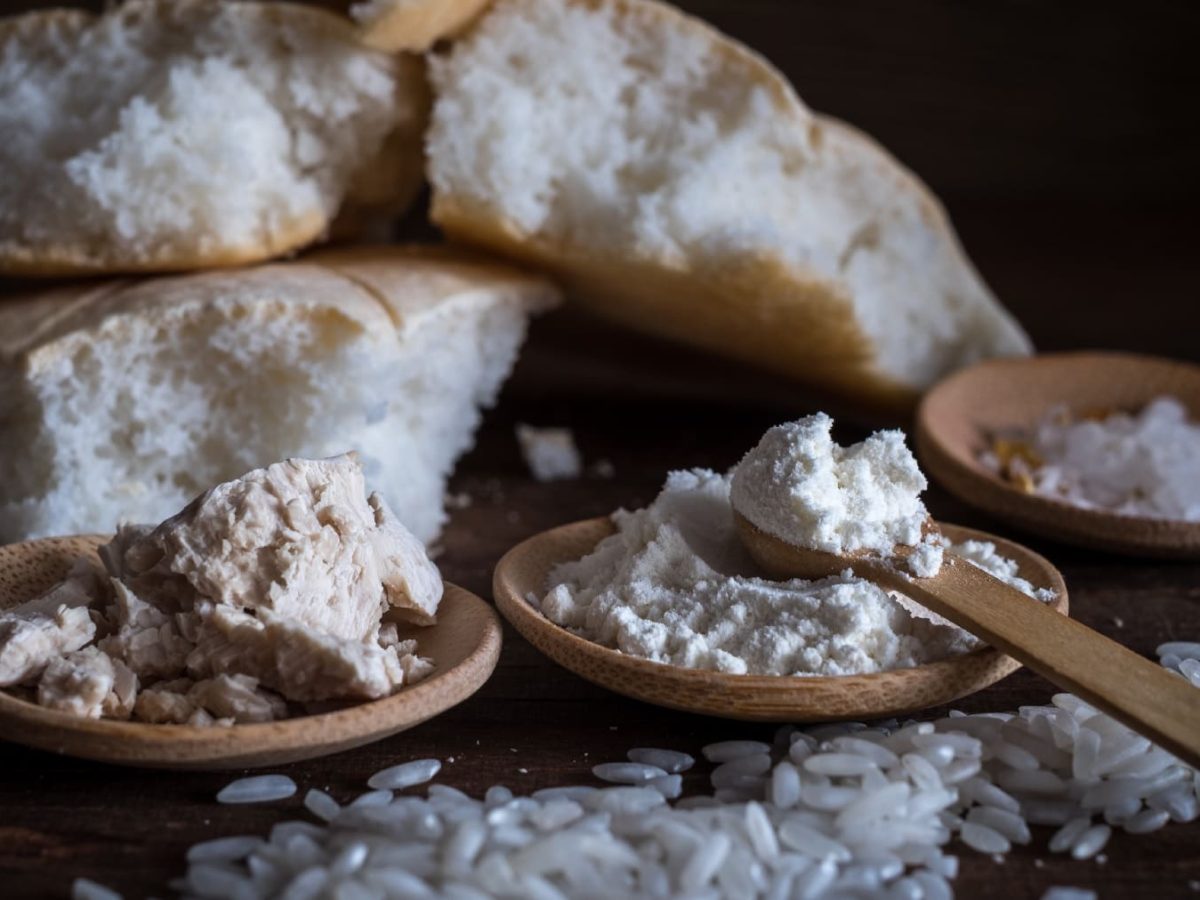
point(801, 487)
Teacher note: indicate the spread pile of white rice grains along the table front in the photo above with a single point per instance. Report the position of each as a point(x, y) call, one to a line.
point(844, 809)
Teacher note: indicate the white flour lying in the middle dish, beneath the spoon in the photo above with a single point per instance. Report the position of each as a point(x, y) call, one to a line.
point(676, 586)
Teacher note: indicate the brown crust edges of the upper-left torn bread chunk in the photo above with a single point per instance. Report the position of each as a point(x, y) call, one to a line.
point(385, 185)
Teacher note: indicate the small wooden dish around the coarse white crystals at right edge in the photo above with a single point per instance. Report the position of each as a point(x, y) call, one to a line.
point(958, 418)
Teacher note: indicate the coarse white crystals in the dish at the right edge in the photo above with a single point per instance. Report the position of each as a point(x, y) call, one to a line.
point(1145, 465)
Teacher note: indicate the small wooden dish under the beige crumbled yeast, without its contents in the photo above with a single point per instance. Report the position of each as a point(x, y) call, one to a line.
point(465, 646)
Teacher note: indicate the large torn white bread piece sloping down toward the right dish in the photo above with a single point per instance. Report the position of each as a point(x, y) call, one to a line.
point(676, 184)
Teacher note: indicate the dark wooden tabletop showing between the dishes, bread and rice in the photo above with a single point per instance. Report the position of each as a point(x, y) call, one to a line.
point(129, 829)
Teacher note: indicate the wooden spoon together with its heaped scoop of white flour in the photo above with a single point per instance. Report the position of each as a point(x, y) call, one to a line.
point(808, 508)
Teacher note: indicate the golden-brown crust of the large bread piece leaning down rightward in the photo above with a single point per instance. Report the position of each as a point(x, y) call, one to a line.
point(765, 310)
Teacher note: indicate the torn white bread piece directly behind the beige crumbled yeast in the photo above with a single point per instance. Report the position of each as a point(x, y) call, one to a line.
point(122, 400)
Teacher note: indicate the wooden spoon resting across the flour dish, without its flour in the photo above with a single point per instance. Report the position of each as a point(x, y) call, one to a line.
point(1132, 689)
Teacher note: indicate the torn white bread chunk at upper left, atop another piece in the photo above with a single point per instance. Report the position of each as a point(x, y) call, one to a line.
point(170, 135)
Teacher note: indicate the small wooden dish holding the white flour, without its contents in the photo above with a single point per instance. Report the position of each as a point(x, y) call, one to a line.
point(524, 571)
